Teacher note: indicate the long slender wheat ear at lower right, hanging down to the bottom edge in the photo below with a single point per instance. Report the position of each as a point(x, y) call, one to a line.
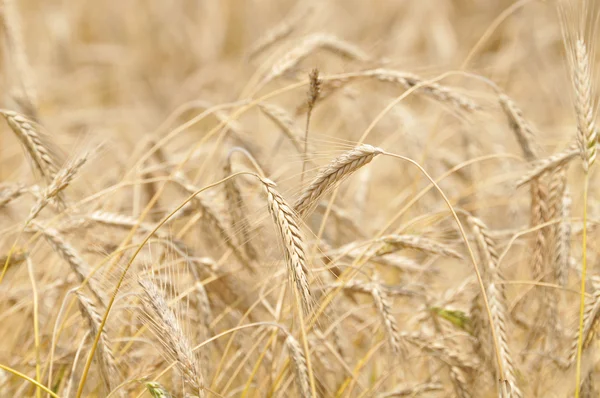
point(497, 299)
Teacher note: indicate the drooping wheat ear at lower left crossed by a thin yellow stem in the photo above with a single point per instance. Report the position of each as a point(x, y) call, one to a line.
point(108, 366)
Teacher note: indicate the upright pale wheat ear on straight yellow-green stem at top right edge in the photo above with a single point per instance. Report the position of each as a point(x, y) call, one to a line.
point(586, 128)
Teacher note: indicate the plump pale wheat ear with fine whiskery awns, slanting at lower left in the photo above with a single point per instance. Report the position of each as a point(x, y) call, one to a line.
point(167, 328)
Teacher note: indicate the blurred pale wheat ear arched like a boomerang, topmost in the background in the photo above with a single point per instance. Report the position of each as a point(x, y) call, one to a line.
point(309, 45)
